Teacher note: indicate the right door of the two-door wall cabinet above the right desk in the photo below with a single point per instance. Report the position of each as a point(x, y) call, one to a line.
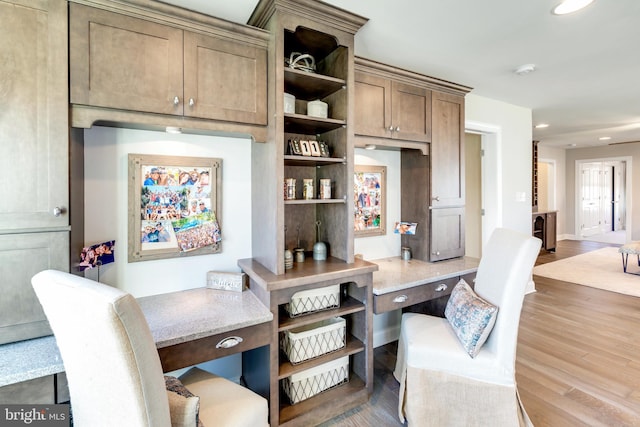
point(411, 112)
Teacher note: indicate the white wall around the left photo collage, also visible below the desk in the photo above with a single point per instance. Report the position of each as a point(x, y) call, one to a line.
point(106, 208)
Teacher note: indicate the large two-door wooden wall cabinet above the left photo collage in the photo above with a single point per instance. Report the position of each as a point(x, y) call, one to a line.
point(130, 60)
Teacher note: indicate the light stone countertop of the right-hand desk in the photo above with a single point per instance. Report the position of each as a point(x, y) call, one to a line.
point(395, 274)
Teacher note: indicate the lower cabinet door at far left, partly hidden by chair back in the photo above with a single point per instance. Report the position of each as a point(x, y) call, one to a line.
point(21, 257)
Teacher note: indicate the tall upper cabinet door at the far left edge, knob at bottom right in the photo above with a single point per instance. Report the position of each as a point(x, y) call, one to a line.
point(34, 115)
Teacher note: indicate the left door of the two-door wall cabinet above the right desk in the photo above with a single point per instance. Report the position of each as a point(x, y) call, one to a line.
point(372, 106)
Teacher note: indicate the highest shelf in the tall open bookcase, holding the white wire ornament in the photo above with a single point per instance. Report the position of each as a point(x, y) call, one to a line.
point(310, 86)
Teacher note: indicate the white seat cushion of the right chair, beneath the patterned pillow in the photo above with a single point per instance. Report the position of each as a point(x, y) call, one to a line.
point(431, 343)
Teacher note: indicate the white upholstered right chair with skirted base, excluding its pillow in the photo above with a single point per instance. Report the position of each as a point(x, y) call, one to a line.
point(440, 383)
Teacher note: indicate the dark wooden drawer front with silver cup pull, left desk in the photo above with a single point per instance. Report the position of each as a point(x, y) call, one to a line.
point(204, 349)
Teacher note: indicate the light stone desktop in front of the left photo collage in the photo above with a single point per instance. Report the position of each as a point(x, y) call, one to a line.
point(183, 316)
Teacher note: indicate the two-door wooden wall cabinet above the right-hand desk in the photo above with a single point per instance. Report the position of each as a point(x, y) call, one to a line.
point(390, 109)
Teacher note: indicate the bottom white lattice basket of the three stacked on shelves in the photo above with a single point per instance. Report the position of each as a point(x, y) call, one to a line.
point(310, 382)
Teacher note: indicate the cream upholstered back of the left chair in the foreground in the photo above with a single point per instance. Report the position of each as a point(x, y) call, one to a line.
point(110, 358)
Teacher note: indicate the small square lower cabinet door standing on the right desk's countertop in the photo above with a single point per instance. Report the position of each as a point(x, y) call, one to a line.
point(447, 233)
